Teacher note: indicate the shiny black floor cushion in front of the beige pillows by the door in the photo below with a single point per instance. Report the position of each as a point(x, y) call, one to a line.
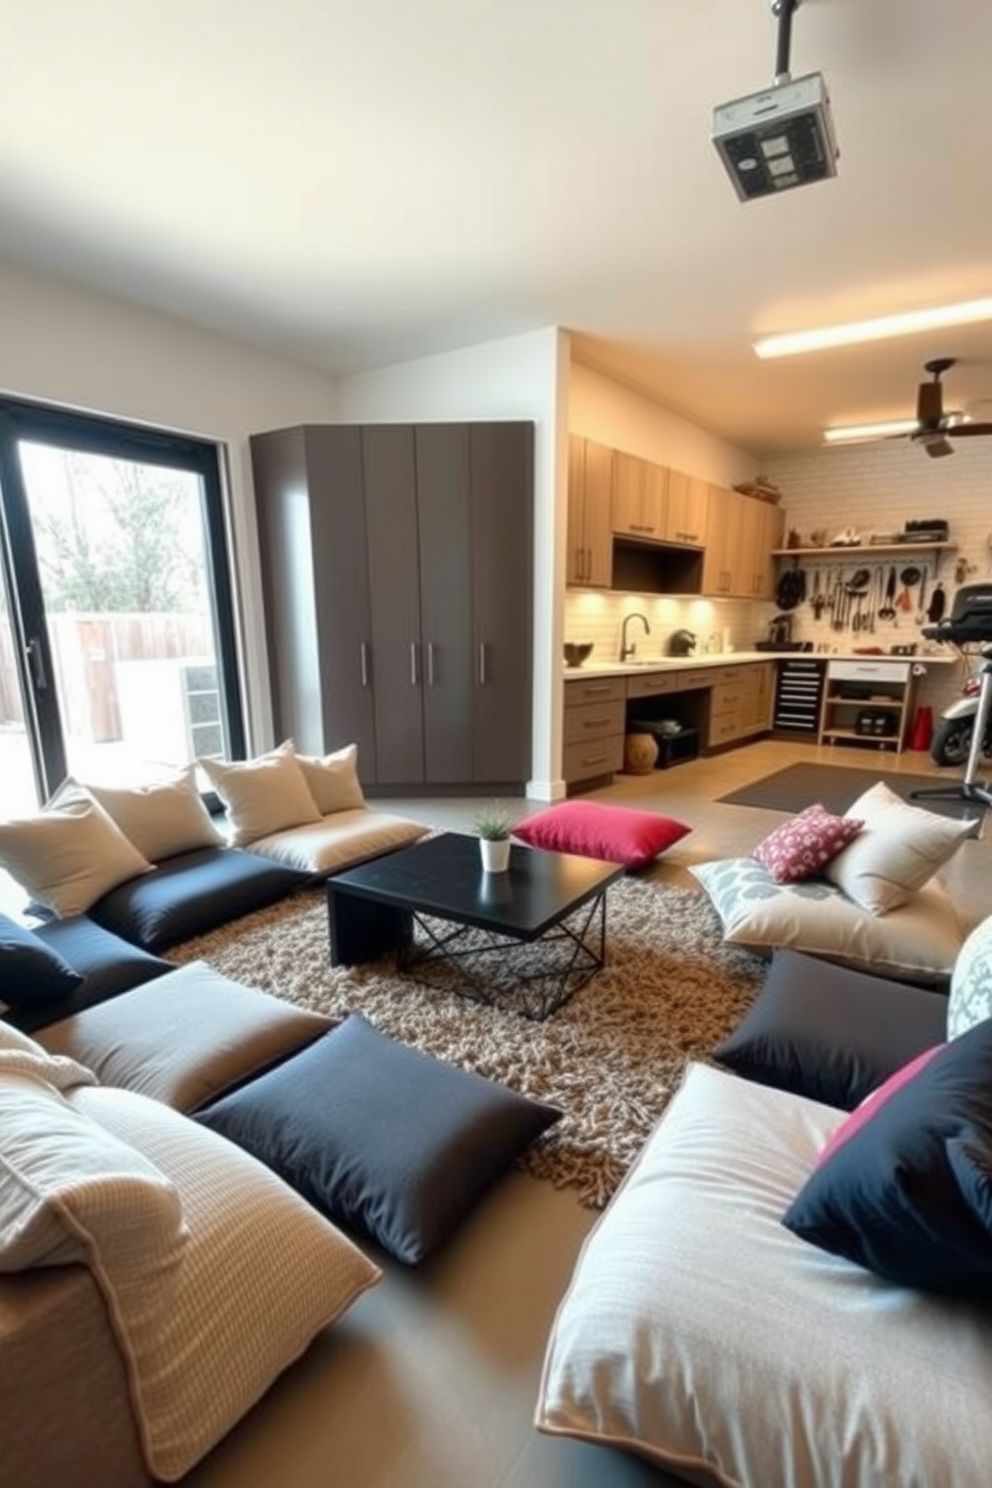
point(191, 894)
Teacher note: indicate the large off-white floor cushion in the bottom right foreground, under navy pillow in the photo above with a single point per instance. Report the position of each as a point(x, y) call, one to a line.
point(700, 1333)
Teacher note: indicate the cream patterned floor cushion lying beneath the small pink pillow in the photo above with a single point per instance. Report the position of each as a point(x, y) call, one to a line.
point(920, 941)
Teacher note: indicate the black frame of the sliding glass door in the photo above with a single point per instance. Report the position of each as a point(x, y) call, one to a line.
point(42, 423)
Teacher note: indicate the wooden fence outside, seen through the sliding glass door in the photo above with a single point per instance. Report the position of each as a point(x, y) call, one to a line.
point(86, 651)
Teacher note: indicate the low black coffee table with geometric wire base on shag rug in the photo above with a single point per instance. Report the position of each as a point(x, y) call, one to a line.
point(529, 938)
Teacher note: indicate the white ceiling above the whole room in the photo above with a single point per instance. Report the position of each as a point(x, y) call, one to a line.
point(361, 182)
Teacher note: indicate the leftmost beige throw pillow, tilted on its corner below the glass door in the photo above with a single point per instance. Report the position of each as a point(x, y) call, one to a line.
point(69, 853)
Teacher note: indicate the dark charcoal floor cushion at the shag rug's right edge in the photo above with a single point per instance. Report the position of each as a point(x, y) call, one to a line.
point(829, 1032)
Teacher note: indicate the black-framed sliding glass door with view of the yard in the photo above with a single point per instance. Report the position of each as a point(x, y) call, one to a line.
point(118, 652)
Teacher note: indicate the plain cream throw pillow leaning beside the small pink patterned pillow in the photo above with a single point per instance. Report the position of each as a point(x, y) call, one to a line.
point(901, 849)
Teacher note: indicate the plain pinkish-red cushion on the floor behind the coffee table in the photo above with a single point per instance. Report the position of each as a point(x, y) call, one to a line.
point(593, 830)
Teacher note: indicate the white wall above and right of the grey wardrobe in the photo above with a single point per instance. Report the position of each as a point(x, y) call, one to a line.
point(515, 379)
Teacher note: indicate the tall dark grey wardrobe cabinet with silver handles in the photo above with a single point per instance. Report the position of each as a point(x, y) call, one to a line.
point(398, 574)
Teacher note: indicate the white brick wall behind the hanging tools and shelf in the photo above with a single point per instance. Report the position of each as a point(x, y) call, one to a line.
point(878, 489)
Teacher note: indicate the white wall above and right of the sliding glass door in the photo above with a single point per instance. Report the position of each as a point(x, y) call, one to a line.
point(69, 346)
